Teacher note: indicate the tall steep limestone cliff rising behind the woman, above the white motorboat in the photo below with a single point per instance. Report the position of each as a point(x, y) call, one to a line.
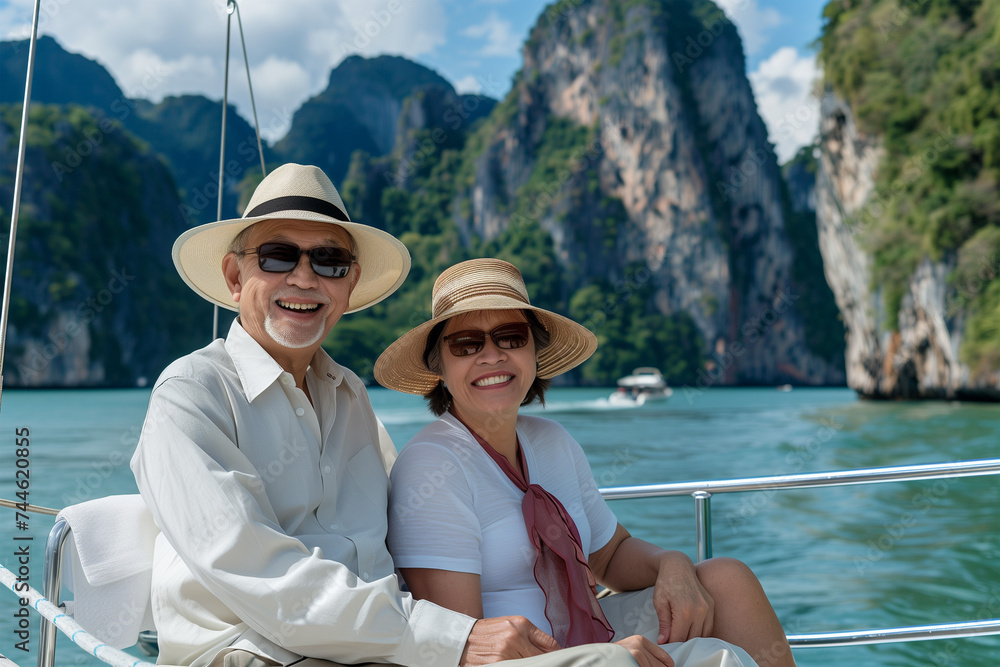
point(674, 181)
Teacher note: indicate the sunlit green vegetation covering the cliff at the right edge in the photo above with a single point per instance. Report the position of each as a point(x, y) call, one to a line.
point(925, 76)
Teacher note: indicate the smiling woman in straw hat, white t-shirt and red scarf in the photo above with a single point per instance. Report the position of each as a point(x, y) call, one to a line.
point(495, 513)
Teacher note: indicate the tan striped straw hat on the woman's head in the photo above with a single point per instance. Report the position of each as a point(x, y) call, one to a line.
point(474, 286)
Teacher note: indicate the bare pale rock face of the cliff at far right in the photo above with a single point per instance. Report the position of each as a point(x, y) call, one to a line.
point(920, 358)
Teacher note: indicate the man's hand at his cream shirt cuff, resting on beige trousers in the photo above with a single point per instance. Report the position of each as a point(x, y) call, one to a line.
point(505, 638)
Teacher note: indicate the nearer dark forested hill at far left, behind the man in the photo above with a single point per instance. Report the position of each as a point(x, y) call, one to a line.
point(94, 289)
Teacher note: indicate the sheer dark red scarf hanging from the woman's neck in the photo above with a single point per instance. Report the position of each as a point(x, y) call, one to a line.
point(561, 567)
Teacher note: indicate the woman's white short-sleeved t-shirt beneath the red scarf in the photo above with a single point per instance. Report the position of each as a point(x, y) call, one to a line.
point(453, 508)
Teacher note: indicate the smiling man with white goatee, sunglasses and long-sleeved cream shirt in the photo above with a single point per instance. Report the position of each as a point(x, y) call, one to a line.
point(264, 466)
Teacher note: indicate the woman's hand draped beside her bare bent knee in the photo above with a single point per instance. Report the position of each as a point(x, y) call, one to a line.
point(683, 606)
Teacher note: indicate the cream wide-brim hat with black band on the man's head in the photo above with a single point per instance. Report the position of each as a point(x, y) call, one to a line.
point(292, 192)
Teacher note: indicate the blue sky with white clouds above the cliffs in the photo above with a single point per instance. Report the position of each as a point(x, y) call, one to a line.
point(155, 49)
